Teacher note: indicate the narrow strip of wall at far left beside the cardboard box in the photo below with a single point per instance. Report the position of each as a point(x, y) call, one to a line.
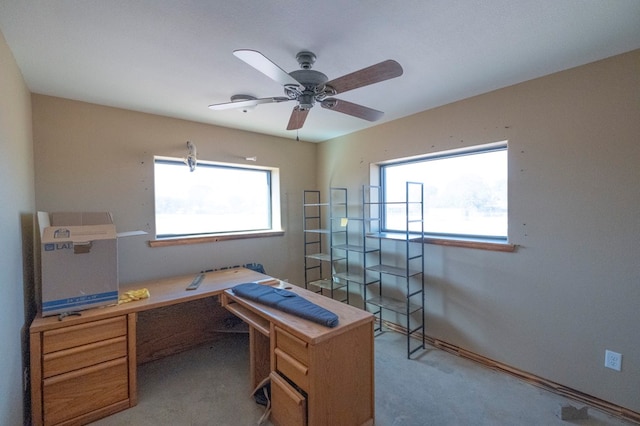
point(16, 225)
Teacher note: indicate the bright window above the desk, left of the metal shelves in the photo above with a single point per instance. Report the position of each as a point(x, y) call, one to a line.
point(216, 198)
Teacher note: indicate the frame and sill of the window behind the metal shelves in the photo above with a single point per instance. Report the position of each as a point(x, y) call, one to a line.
point(498, 243)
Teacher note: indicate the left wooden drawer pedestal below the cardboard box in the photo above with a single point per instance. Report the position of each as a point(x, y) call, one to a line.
point(83, 372)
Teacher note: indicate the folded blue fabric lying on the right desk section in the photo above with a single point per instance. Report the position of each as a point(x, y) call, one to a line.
point(286, 301)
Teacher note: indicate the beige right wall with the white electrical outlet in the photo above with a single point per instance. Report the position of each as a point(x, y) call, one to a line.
point(572, 289)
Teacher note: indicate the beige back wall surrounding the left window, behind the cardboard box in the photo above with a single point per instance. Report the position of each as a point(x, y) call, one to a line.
point(96, 158)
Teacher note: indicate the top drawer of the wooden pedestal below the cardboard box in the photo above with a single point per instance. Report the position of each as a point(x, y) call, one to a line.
point(82, 334)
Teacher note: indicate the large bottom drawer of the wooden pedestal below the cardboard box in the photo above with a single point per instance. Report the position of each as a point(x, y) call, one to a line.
point(70, 395)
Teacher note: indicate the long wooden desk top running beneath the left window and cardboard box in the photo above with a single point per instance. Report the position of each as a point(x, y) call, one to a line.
point(163, 292)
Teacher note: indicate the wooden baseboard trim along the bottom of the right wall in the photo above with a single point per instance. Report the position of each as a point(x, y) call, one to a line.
point(610, 408)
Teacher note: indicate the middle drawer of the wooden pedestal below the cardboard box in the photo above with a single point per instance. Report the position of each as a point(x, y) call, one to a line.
point(59, 362)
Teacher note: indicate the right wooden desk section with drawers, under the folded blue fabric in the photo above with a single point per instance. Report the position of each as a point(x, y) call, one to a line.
point(319, 375)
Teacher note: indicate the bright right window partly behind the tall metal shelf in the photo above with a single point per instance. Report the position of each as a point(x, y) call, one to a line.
point(465, 192)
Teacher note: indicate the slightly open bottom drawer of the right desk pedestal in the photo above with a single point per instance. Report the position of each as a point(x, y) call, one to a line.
point(288, 406)
